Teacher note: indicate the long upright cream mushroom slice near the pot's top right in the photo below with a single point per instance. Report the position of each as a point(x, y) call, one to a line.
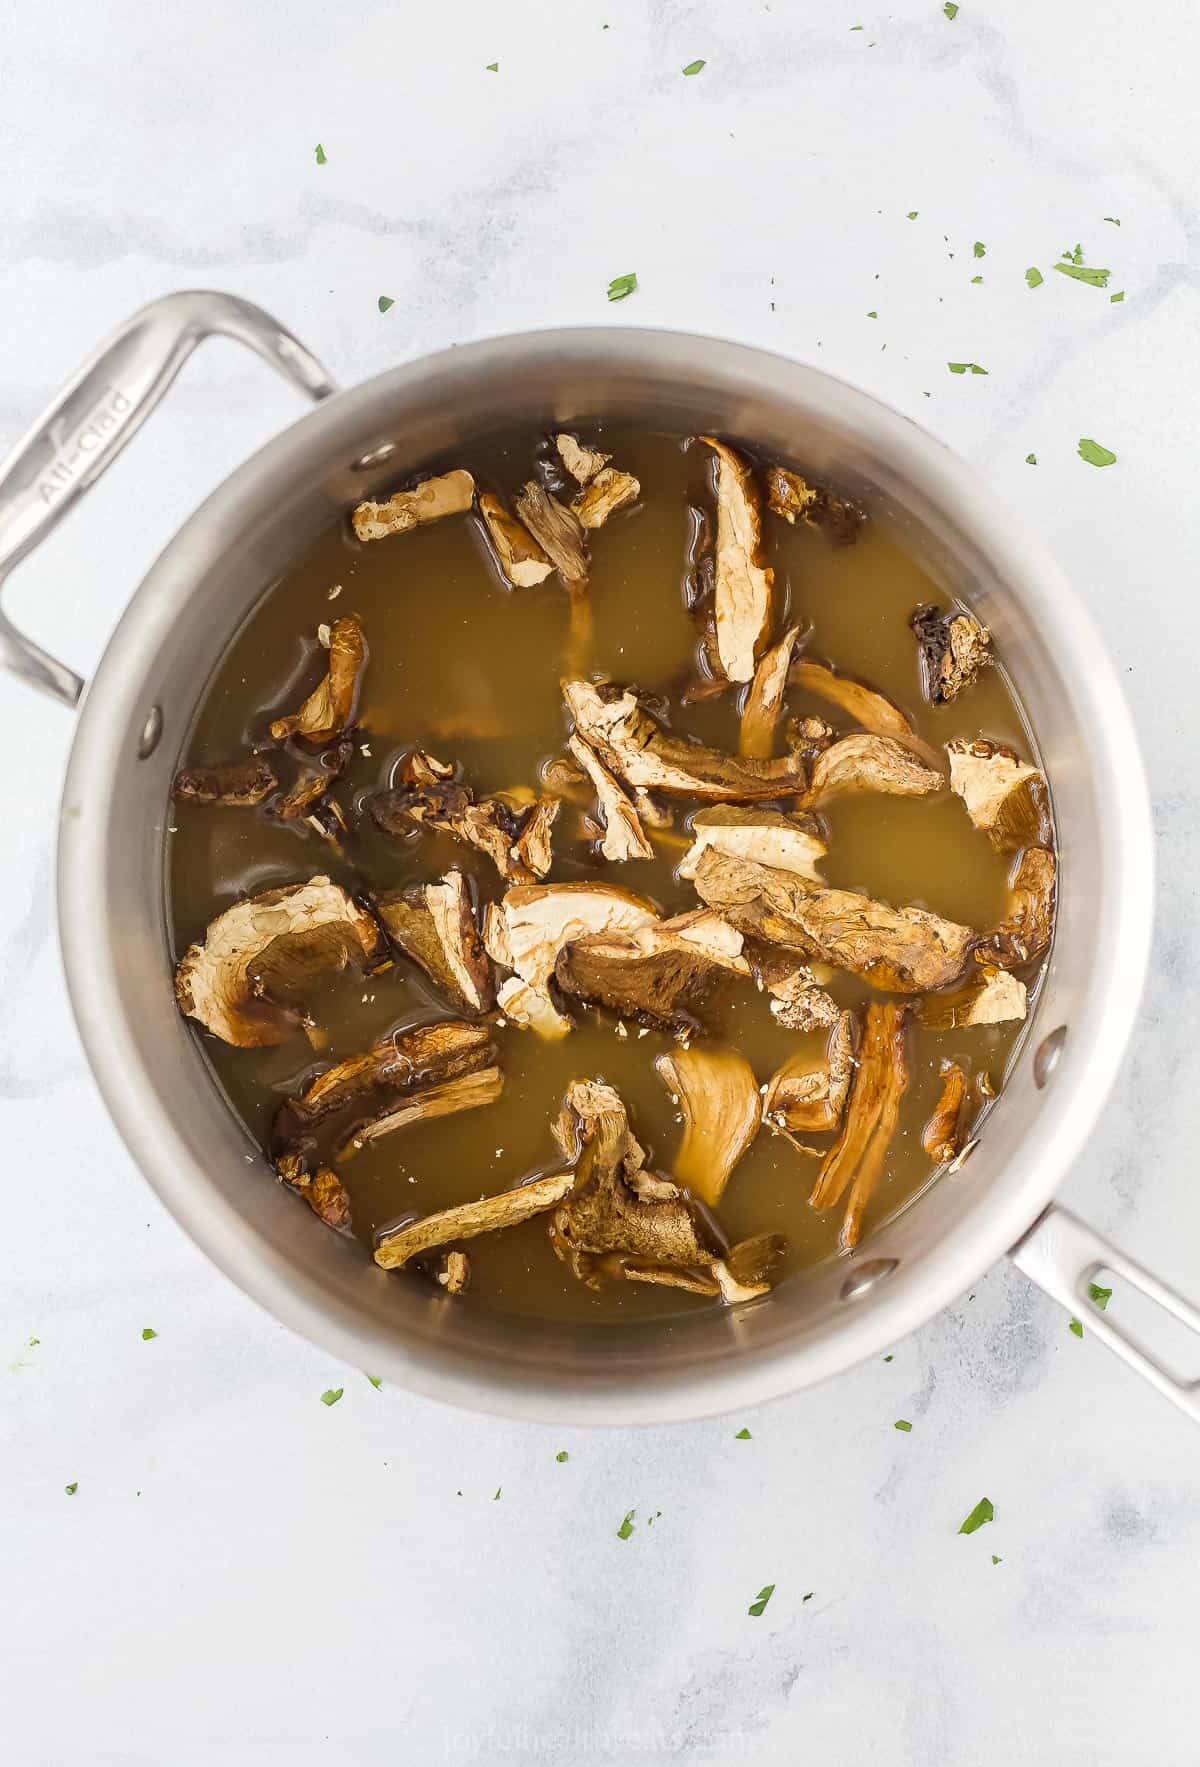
point(745, 589)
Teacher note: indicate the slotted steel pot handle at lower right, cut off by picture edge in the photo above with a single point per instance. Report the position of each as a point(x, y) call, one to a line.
point(1063, 1255)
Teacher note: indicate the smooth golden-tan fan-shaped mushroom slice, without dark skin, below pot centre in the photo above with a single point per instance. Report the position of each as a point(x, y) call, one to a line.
point(718, 1096)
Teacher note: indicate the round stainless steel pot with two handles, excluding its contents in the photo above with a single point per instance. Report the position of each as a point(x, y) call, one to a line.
point(139, 708)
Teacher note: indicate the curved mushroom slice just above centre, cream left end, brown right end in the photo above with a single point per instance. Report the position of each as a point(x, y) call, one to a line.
point(642, 754)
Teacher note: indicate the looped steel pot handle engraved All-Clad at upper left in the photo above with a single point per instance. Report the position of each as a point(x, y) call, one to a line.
point(100, 409)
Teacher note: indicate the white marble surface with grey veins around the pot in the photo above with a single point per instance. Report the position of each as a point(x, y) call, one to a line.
point(248, 1577)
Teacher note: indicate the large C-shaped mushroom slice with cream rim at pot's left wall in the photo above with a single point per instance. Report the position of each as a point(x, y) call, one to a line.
point(247, 980)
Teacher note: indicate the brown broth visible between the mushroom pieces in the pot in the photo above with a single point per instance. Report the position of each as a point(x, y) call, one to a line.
point(471, 671)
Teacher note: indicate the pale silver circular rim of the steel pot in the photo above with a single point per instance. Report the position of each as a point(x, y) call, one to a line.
point(922, 1289)
